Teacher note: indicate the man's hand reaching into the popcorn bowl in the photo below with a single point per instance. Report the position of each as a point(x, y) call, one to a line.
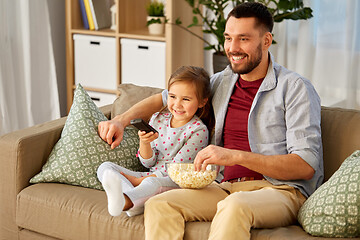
point(213, 155)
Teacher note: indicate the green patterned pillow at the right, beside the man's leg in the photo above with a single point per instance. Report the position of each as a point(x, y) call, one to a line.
point(333, 210)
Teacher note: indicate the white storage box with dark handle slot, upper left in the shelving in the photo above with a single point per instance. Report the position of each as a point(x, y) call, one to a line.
point(95, 61)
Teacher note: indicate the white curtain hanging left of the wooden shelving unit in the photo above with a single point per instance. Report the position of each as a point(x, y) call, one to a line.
point(28, 84)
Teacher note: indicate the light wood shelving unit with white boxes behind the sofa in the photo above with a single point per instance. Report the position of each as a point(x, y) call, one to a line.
point(90, 60)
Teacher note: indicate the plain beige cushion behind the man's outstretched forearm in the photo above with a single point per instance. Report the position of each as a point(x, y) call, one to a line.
point(129, 95)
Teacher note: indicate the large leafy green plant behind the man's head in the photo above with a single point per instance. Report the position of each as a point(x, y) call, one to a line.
point(213, 20)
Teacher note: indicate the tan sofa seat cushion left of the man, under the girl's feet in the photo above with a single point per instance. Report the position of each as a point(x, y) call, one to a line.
point(70, 212)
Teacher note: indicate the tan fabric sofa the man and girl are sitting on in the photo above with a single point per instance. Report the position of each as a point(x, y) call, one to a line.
point(61, 211)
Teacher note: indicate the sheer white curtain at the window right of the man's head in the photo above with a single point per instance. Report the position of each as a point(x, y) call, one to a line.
point(325, 49)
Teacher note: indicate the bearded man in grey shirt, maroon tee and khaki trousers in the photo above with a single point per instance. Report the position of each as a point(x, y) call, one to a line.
point(267, 135)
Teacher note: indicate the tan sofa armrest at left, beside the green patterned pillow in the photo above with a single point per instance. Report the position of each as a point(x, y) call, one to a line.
point(22, 155)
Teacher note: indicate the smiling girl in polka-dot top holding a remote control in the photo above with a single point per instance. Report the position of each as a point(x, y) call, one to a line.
point(181, 134)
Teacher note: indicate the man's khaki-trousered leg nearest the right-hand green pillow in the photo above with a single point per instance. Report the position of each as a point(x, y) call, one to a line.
point(262, 207)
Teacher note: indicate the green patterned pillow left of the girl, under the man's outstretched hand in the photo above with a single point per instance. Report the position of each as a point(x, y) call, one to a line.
point(79, 152)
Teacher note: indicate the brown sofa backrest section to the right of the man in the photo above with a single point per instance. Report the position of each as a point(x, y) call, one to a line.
point(340, 136)
